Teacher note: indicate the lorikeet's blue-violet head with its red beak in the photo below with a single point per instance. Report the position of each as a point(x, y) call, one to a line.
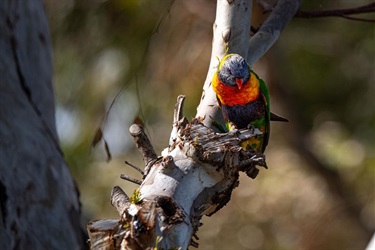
point(234, 71)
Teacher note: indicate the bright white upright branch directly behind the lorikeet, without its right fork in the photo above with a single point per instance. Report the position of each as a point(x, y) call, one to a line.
point(231, 31)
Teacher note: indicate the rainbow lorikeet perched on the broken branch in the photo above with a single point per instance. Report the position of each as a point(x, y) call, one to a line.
point(244, 99)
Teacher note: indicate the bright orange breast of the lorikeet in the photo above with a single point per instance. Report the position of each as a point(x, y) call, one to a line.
point(230, 96)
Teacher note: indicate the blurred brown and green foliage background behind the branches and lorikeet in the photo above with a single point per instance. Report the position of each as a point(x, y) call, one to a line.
point(319, 190)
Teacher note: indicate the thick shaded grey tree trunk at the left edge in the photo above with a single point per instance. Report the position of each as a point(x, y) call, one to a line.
point(39, 206)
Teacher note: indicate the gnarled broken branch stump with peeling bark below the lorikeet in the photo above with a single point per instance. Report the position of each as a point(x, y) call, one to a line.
point(194, 177)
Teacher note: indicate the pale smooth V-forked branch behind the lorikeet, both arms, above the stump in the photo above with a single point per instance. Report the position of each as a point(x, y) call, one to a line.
point(230, 30)
